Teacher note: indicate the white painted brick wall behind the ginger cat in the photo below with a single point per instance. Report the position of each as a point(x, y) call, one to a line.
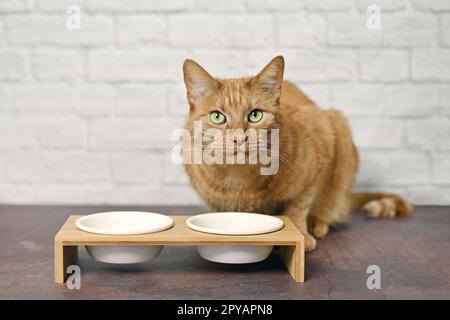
point(86, 115)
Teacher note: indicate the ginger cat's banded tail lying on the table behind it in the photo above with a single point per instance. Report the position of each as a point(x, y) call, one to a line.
point(381, 205)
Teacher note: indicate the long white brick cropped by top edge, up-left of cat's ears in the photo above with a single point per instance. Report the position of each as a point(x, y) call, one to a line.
point(138, 6)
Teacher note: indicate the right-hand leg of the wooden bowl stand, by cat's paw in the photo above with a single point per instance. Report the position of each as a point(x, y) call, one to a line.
point(294, 259)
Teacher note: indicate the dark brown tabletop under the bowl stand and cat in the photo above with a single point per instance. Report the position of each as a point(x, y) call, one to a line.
point(413, 254)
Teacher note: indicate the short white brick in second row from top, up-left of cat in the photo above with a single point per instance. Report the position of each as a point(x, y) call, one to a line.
point(137, 29)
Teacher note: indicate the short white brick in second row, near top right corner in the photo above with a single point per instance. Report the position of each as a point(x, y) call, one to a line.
point(409, 30)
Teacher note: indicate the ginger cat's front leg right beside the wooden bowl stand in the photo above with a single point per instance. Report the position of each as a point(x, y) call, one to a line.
point(298, 210)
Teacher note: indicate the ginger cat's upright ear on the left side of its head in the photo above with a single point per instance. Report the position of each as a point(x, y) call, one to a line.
point(199, 83)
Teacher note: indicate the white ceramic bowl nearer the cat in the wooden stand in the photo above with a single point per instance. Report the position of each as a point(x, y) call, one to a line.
point(234, 223)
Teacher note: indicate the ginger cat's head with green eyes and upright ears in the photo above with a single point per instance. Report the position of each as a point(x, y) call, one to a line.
point(242, 104)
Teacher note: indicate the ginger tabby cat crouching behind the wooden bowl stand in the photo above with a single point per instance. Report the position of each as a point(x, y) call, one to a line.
point(318, 159)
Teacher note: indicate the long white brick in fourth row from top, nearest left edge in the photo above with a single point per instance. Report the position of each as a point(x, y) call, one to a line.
point(59, 100)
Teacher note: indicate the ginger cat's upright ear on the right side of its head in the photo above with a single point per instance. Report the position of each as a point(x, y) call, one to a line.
point(271, 77)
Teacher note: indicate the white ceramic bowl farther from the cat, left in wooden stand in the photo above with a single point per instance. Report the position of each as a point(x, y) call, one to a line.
point(124, 223)
